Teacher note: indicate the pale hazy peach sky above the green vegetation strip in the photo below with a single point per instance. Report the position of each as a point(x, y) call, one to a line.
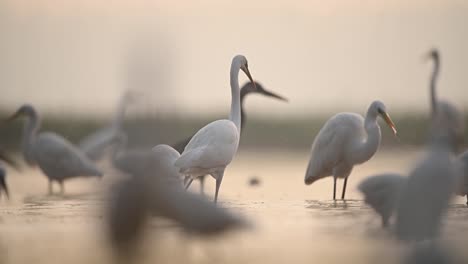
point(325, 56)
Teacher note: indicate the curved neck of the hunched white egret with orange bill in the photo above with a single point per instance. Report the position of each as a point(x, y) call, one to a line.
point(365, 149)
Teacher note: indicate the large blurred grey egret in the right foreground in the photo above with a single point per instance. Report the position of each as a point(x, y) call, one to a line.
point(425, 197)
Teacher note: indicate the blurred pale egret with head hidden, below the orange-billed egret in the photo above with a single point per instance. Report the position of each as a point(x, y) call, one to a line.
point(381, 192)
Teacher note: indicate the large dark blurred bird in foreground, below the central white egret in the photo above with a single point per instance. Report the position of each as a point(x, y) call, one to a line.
point(153, 188)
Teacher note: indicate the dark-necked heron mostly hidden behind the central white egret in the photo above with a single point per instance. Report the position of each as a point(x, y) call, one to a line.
point(248, 88)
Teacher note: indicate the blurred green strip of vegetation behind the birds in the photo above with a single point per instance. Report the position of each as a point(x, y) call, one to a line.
point(146, 131)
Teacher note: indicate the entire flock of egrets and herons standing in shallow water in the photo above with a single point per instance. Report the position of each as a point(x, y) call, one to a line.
point(155, 180)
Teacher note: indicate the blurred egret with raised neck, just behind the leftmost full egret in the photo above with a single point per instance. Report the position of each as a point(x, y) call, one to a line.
point(95, 144)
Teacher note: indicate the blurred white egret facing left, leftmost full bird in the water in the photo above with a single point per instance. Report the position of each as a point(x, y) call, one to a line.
point(58, 159)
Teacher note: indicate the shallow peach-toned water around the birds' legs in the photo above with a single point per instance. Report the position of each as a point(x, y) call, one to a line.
point(292, 223)
